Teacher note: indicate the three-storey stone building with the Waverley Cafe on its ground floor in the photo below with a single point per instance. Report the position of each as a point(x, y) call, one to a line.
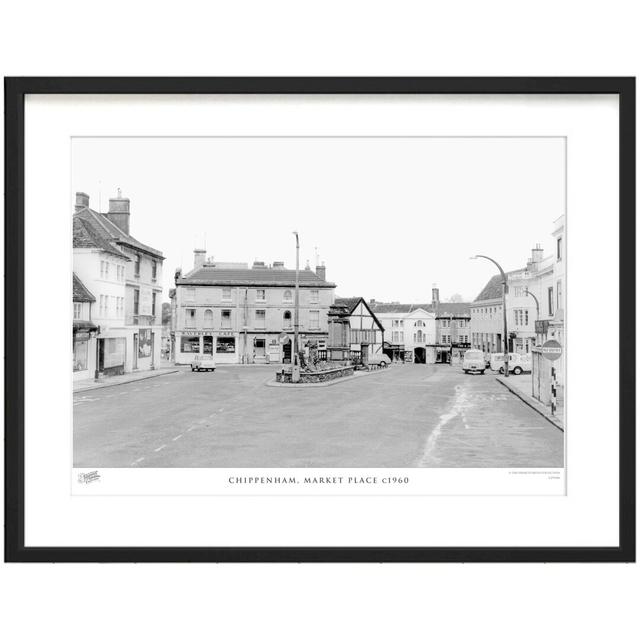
point(245, 315)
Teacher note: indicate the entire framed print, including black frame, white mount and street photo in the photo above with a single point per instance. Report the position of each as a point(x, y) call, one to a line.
point(365, 318)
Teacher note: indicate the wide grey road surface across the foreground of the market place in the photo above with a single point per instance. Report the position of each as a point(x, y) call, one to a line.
point(409, 416)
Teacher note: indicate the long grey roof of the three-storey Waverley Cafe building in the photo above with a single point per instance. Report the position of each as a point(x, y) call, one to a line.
point(210, 274)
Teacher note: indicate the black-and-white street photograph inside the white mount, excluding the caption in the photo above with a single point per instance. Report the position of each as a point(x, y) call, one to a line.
point(319, 302)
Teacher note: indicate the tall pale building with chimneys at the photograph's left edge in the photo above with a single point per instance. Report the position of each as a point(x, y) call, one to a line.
point(125, 277)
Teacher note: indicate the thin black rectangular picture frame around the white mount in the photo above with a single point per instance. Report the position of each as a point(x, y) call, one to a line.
point(15, 91)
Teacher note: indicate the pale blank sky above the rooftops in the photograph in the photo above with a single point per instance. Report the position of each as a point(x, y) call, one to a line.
point(389, 217)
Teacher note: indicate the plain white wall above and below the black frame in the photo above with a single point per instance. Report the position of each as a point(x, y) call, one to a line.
point(334, 38)
